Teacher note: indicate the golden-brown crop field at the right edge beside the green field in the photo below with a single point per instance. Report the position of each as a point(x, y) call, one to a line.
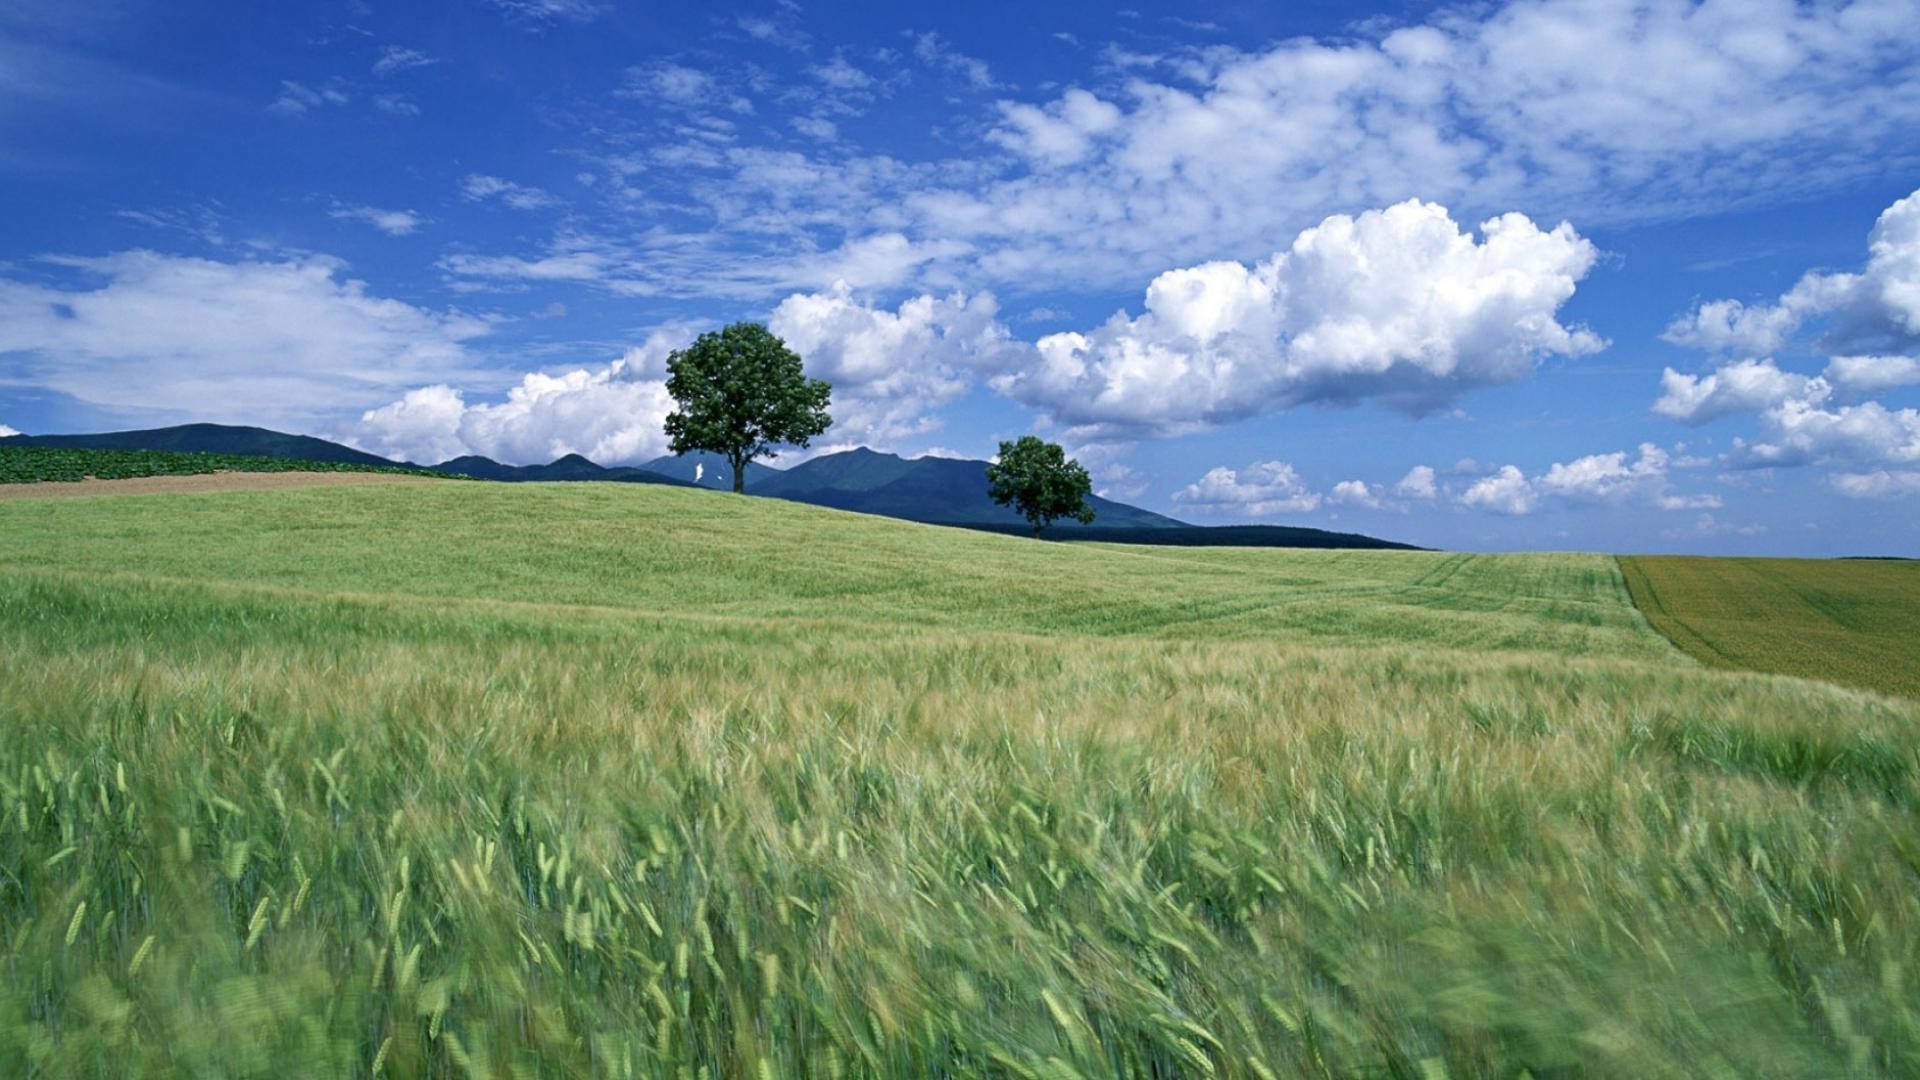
point(1852, 622)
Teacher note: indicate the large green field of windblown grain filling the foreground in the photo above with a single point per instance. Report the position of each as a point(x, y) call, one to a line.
point(594, 779)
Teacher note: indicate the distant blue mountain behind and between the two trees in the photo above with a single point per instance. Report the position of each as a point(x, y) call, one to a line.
point(942, 491)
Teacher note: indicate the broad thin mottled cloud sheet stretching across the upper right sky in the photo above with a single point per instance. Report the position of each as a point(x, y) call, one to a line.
point(1554, 103)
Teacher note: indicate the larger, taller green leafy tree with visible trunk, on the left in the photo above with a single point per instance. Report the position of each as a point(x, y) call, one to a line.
point(742, 393)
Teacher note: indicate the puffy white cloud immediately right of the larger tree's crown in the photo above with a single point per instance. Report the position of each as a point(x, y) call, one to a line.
point(890, 370)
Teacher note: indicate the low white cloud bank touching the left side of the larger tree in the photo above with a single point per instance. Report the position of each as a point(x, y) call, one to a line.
point(613, 416)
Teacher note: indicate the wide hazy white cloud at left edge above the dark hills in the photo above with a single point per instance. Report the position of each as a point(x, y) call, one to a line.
point(251, 341)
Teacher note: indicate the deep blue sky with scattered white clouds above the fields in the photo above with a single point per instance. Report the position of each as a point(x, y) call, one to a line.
point(1552, 274)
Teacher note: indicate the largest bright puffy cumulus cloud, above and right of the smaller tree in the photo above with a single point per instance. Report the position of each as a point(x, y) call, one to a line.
point(1397, 307)
